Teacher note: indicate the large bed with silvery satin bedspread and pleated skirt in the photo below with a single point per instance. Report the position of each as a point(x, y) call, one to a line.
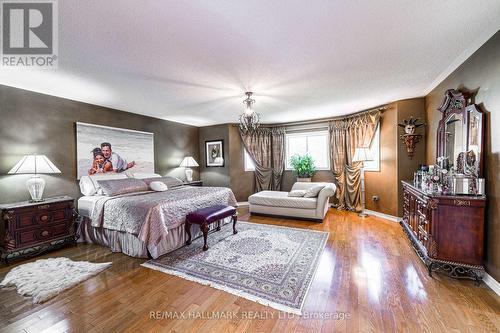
point(147, 223)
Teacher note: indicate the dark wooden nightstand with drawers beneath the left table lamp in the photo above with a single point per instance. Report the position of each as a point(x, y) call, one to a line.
point(30, 228)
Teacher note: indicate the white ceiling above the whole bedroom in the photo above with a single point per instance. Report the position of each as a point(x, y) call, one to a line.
point(192, 61)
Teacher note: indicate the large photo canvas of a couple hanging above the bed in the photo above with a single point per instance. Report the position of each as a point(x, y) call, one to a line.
point(103, 149)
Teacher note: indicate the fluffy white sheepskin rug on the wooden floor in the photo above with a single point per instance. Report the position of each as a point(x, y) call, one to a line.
point(46, 278)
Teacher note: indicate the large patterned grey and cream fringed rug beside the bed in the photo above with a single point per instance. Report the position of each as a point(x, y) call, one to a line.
point(267, 264)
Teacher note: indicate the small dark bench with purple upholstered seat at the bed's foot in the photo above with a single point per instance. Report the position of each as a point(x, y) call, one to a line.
point(206, 216)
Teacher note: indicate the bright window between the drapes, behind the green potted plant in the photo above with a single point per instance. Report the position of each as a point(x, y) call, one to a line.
point(313, 142)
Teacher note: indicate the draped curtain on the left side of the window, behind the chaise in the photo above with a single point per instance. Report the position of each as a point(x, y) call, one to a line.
point(266, 147)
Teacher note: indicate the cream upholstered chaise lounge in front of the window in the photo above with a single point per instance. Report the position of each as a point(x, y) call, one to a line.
point(280, 204)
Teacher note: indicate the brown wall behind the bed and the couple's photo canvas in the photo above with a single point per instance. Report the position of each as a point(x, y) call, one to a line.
point(43, 124)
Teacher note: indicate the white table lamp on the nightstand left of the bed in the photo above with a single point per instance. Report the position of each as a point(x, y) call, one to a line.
point(35, 165)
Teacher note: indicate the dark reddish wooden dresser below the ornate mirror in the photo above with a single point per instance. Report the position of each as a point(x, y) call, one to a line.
point(446, 231)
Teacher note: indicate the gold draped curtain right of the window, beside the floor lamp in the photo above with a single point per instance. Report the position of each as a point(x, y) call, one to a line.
point(345, 135)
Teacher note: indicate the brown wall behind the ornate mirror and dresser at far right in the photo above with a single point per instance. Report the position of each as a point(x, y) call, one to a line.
point(481, 71)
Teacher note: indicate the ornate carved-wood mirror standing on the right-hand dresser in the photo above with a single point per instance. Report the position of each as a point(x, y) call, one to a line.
point(460, 134)
